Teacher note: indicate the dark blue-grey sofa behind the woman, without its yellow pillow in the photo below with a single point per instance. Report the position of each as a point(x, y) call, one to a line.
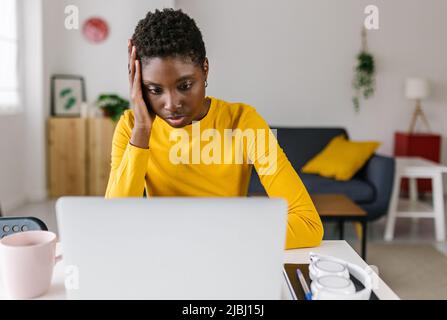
point(370, 187)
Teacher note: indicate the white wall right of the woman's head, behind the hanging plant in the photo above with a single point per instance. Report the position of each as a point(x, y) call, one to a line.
point(293, 60)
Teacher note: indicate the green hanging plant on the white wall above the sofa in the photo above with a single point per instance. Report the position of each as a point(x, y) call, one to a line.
point(364, 82)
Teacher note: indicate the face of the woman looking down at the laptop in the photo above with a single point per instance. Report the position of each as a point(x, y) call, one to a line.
point(175, 89)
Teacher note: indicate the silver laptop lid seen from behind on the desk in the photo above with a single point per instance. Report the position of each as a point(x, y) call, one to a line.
point(173, 248)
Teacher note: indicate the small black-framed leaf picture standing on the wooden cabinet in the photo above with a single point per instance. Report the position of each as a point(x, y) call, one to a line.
point(67, 95)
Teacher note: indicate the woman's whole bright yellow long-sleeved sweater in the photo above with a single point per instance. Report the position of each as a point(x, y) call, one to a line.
point(202, 159)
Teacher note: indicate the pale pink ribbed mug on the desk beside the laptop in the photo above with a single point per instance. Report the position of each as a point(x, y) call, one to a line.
point(27, 261)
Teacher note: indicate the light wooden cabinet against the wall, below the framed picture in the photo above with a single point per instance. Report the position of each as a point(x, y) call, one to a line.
point(79, 155)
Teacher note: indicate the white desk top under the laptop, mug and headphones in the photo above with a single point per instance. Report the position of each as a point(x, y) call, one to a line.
point(338, 248)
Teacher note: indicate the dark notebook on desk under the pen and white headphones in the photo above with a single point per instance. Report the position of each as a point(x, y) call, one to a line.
point(294, 285)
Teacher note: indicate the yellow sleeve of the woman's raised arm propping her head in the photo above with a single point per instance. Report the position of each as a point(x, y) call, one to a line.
point(128, 163)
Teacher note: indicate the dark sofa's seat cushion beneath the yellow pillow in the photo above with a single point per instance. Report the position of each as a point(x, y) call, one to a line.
point(356, 189)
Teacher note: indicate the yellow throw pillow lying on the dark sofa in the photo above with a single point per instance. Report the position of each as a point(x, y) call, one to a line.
point(341, 158)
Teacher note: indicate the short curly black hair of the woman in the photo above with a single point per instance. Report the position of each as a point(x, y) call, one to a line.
point(169, 33)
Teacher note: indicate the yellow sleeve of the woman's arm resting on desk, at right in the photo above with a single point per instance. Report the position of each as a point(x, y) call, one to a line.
point(279, 178)
